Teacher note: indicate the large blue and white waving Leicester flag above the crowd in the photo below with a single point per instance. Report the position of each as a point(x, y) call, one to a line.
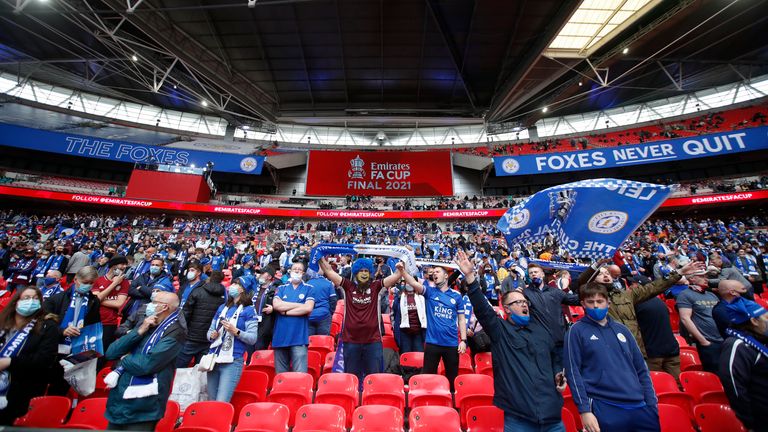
point(589, 218)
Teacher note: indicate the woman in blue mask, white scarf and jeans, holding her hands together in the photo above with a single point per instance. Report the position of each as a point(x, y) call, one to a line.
point(232, 330)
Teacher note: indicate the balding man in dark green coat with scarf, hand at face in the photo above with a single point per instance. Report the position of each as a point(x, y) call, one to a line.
point(141, 384)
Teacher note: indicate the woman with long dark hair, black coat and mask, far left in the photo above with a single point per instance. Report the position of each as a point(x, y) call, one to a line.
point(29, 340)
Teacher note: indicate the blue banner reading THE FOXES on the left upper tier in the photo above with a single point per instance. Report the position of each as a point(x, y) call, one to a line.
point(99, 148)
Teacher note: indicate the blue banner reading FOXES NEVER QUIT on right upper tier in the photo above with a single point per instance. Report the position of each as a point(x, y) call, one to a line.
point(724, 143)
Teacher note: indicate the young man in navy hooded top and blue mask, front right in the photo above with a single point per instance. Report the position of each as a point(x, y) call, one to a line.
point(609, 379)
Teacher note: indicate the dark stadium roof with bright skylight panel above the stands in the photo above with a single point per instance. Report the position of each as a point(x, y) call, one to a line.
point(335, 62)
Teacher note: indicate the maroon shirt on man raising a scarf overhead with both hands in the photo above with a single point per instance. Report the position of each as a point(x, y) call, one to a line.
point(361, 320)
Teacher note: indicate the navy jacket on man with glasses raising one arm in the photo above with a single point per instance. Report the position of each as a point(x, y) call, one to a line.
point(523, 367)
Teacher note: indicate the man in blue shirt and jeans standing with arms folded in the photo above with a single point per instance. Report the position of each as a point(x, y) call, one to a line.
point(293, 302)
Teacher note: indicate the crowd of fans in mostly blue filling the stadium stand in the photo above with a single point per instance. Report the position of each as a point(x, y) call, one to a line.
point(208, 292)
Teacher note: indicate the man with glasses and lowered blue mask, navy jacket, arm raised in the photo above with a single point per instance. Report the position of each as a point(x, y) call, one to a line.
point(527, 385)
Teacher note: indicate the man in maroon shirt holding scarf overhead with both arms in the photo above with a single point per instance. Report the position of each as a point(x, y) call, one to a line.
point(361, 334)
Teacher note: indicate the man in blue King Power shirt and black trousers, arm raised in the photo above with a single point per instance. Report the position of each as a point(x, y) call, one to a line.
point(445, 320)
